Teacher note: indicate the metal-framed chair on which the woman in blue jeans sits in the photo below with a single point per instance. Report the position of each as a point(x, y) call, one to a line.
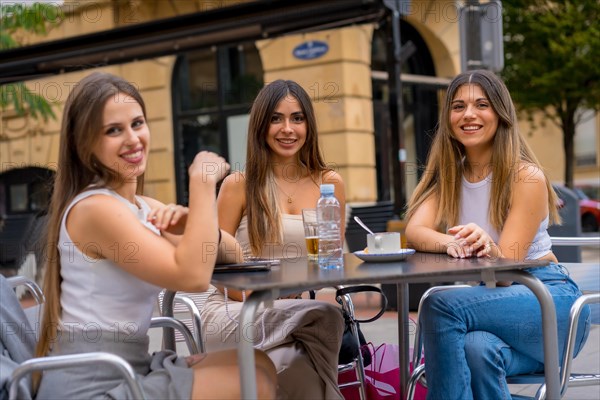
point(567, 378)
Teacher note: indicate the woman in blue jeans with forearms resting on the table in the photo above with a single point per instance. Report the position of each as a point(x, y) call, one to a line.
point(484, 194)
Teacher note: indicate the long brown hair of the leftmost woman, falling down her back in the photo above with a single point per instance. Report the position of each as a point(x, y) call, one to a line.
point(77, 169)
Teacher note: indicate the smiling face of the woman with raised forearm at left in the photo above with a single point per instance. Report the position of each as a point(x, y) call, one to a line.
point(125, 137)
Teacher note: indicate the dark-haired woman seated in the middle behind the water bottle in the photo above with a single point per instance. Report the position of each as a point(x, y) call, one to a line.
point(262, 207)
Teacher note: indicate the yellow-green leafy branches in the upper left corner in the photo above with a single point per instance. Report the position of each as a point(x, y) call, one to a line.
point(17, 19)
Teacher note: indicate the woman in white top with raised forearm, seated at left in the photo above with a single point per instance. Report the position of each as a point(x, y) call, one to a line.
point(111, 251)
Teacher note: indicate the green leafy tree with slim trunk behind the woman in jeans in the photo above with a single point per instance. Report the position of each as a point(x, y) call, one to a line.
point(552, 62)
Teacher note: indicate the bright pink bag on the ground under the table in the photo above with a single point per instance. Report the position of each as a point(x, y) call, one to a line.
point(382, 376)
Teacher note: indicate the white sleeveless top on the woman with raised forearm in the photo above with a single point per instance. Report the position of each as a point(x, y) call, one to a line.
point(97, 296)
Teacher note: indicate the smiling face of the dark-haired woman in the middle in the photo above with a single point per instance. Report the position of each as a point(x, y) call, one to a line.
point(287, 129)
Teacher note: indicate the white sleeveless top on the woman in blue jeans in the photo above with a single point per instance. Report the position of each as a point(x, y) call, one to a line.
point(474, 206)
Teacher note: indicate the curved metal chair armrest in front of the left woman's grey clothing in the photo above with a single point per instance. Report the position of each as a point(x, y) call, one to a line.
point(72, 360)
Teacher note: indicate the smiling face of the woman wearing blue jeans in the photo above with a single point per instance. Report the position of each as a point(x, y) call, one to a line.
point(472, 118)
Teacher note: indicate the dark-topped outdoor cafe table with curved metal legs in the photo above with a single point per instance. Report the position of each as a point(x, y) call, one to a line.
point(299, 274)
